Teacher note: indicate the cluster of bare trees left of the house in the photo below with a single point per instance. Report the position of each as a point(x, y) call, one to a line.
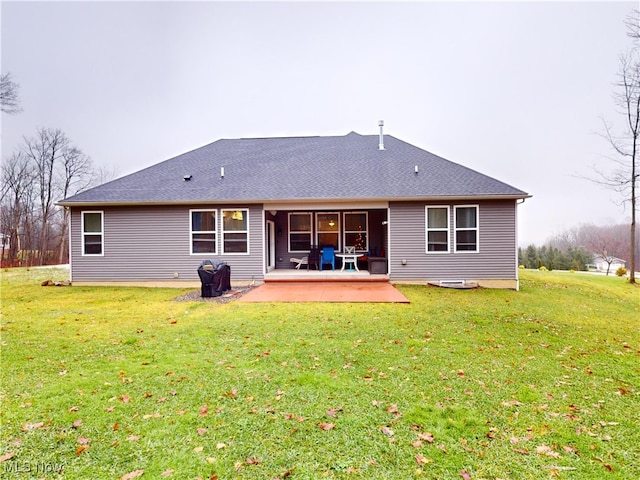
point(45, 168)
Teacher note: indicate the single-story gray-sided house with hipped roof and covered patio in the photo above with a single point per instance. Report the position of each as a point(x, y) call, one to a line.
point(257, 202)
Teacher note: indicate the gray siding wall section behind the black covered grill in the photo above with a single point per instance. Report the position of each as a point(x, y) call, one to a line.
point(153, 244)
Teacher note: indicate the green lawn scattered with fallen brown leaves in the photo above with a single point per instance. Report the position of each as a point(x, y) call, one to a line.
point(108, 383)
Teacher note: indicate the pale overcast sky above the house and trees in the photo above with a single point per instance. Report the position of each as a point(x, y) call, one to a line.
point(514, 90)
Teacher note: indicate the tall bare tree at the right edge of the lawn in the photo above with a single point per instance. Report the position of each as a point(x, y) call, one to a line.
point(624, 178)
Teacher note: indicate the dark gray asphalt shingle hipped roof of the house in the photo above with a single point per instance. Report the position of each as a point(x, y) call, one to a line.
point(349, 167)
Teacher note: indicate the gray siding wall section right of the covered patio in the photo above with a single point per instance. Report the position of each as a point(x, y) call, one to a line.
point(496, 258)
